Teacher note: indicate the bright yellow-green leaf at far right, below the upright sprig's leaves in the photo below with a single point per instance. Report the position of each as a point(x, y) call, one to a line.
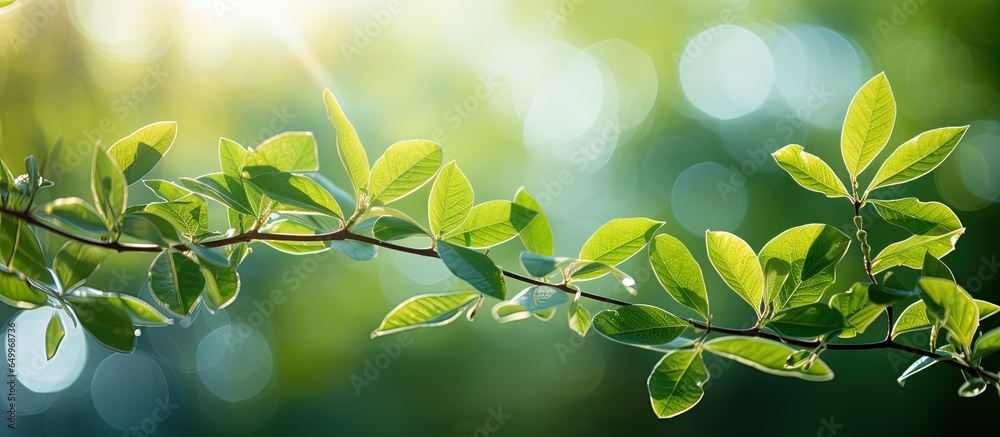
point(961, 312)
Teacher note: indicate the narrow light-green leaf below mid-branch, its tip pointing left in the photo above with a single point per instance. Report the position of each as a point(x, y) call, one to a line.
point(425, 311)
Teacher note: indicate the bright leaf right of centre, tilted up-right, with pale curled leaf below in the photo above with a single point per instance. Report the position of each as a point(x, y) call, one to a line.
point(618, 240)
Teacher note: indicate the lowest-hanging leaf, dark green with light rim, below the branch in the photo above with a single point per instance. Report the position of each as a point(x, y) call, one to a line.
point(675, 385)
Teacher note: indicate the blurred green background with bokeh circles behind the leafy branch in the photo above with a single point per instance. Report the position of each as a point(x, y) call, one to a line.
point(601, 109)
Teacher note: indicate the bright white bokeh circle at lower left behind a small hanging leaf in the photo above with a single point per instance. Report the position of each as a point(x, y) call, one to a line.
point(34, 370)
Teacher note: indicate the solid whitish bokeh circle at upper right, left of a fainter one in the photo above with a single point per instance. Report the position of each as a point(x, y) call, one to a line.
point(726, 71)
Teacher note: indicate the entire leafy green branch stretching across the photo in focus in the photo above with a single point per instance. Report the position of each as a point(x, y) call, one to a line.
point(273, 195)
